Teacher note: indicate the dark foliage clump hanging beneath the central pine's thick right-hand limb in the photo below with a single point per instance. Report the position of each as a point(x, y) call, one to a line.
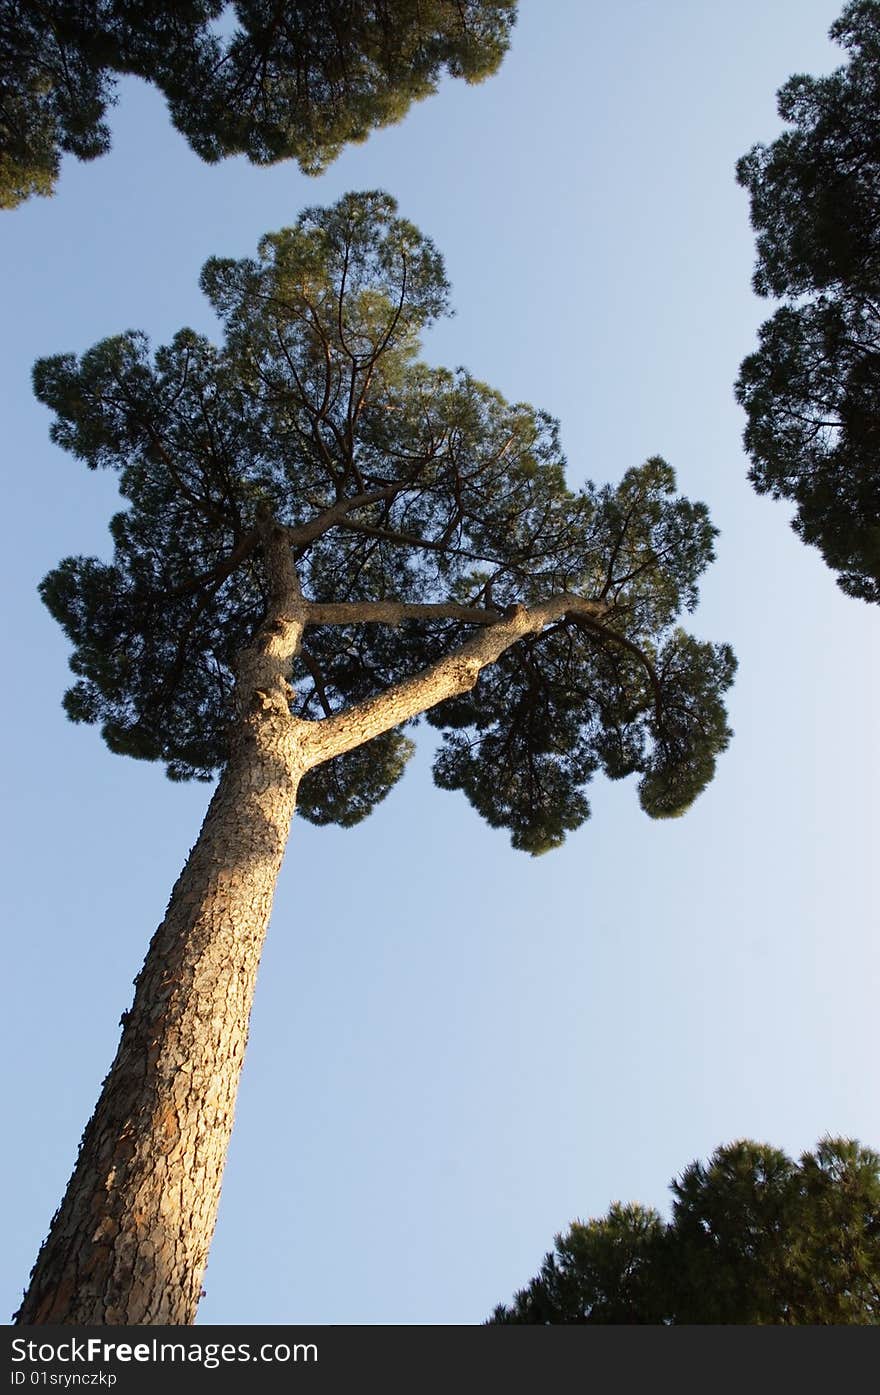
point(554, 711)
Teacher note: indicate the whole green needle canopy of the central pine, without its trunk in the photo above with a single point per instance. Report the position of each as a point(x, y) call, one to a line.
point(408, 495)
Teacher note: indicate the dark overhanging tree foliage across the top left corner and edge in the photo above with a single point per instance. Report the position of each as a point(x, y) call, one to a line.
point(298, 79)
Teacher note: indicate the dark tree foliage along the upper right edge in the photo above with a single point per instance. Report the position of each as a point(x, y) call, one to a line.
point(812, 390)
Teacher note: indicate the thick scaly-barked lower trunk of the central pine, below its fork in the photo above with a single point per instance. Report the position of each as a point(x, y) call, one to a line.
point(130, 1241)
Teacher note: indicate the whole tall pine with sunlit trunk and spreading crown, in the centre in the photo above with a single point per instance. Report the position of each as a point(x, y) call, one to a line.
point(324, 539)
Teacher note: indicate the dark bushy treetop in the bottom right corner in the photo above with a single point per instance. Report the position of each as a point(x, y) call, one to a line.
point(754, 1239)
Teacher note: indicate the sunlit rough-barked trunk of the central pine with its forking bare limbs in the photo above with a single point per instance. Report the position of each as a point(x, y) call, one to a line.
point(130, 1241)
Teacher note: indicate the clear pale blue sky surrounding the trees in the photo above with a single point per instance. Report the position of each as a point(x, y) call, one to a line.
point(458, 1050)
